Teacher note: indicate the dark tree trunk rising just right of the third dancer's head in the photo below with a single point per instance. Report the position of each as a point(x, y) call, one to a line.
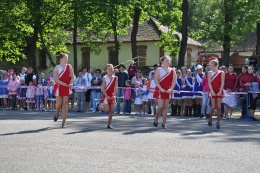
point(184, 39)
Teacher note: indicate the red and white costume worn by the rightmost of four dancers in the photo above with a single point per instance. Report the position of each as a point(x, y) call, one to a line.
point(216, 84)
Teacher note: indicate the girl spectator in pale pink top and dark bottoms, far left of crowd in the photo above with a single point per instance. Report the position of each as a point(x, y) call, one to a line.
point(12, 88)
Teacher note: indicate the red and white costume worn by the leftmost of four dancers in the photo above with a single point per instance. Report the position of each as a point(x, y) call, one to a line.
point(64, 76)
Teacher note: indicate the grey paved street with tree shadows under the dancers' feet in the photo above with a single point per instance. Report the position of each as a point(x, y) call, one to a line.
point(33, 142)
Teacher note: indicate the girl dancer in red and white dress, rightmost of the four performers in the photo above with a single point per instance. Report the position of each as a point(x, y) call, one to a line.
point(216, 81)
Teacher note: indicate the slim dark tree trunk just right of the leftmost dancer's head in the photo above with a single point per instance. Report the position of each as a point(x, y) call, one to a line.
point(75, 28)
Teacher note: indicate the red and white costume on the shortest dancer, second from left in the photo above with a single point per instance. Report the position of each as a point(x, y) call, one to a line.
point(110, 89)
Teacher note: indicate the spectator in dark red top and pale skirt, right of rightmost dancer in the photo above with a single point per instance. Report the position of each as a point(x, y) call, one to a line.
point(230, 100)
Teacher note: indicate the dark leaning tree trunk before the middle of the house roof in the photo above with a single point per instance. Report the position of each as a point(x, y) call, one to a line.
point(134, 32)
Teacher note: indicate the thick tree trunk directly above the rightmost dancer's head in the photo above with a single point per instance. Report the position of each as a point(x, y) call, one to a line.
point(227, 30)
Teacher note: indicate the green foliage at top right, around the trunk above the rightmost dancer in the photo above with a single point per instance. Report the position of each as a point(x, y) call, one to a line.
point(207, 19)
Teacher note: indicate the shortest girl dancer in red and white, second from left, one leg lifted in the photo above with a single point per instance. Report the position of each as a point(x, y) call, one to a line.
point(109, 90)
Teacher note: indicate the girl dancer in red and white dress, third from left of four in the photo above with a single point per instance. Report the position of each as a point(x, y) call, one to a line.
point(165, 80)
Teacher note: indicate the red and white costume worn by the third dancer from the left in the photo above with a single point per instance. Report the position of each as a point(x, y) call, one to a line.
point(165, 81)
